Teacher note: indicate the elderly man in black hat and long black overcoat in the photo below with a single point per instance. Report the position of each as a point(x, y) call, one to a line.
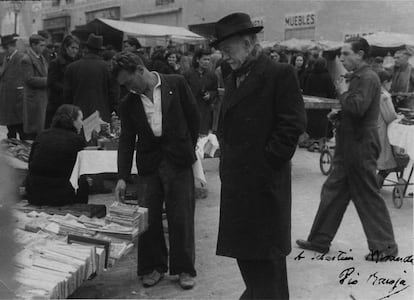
point(262, 117)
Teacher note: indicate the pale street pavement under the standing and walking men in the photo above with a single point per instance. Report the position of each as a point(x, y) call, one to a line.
point(310, 276)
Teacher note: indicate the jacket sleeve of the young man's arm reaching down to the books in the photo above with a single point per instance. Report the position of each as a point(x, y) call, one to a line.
point(126, 142)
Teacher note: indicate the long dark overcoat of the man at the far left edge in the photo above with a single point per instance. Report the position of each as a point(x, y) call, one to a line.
point(11, 91)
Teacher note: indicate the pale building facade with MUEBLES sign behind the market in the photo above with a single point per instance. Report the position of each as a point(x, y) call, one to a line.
point(282, 19)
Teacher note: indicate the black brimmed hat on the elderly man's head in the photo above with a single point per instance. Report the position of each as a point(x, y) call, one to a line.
point(234, 24)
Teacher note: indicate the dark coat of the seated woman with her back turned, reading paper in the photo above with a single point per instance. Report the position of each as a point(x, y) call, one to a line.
point(51, 162)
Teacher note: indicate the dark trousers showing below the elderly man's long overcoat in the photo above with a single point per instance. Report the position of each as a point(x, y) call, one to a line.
point(264, 279)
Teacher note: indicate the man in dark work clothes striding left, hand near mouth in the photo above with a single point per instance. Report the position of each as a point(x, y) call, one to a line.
point(353, 175)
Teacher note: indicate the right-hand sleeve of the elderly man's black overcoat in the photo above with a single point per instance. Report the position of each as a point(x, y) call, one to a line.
point(289, 119)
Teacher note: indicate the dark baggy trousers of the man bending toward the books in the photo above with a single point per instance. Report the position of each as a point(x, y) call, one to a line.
point(175, 186)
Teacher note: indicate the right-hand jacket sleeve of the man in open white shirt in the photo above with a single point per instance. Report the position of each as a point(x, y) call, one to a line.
point(190, 109)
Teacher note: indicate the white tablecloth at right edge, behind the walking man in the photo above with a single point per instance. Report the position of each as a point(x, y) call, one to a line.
point(402, 136)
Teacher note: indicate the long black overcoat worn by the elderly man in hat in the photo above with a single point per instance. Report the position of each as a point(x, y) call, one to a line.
point(259, 129)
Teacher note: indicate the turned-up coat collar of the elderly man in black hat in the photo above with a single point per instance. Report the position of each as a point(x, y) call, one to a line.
point(234, 95)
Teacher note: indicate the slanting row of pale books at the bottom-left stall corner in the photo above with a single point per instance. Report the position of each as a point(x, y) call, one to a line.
point(54, 269)
